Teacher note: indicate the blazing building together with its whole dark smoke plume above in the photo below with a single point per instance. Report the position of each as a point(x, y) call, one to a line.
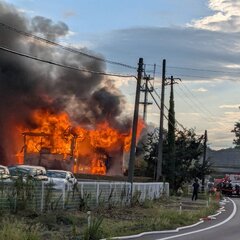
point(53, 116)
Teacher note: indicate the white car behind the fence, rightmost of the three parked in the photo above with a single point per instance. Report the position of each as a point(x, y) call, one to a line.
point(61, 178)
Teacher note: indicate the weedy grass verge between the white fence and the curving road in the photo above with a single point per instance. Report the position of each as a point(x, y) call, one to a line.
point(105, 222)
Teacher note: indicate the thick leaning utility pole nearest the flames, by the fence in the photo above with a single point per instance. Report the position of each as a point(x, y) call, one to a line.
point(134, 125)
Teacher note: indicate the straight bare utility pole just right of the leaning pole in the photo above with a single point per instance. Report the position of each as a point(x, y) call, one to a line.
point(160, 141)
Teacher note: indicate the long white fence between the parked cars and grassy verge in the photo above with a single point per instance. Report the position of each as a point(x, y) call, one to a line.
point(44, 196)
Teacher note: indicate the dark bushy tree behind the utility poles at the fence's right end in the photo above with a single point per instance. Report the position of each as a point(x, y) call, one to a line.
point(189, 150)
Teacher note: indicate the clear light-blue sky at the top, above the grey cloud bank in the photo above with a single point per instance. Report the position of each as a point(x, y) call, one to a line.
point(92, 16)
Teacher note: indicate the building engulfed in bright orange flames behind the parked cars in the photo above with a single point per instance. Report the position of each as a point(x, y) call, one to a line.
point(57, 143)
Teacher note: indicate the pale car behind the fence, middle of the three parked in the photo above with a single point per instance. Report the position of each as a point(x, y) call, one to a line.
point(34, 172)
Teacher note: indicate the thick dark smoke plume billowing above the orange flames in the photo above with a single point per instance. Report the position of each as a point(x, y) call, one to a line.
point(27, 85)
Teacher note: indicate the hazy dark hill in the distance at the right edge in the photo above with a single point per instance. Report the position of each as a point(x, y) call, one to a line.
point(225, 160)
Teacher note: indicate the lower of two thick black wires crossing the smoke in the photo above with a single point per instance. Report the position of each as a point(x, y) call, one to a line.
point(64, 66)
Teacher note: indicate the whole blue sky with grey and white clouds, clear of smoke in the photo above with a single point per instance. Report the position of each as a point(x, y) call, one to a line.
point(189, 34)
